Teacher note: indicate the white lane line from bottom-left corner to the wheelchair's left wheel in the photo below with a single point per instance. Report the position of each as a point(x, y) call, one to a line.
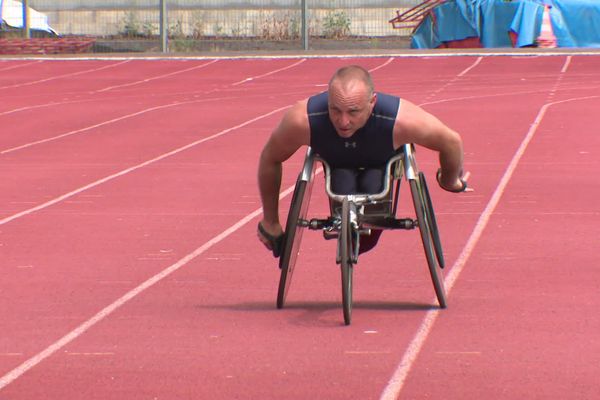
point(106, 311)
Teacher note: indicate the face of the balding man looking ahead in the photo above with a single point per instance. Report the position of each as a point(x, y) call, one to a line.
point(350, 106)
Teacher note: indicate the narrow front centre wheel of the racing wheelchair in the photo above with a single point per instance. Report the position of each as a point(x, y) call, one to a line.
point(346, 247)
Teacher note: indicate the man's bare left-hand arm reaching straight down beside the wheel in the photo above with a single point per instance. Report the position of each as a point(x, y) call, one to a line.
point(292, 132)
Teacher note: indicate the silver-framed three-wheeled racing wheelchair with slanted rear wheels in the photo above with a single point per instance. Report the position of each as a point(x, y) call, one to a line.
point(354, 215)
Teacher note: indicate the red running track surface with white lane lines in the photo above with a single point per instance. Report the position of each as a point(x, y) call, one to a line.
point(130, 267)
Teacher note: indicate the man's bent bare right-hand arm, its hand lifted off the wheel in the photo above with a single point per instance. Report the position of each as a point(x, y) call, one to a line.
point(415, 125)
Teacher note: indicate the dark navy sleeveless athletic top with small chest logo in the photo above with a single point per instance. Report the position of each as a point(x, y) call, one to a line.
point(369, 147)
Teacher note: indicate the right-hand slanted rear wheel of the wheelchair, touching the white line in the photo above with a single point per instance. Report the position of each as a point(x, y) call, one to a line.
point(425, 229)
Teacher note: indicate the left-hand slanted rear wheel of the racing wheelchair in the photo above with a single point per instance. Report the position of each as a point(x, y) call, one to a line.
point(293, 236)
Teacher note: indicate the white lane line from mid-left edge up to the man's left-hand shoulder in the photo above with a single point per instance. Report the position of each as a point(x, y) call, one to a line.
point(135, 167)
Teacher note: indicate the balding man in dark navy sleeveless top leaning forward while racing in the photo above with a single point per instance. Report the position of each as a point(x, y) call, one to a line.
point(356, 131)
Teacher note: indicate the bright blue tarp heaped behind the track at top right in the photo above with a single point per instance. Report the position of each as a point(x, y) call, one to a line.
point(576, 23)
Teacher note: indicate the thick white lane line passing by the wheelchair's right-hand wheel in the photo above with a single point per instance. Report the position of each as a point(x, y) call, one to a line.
point(396, 383)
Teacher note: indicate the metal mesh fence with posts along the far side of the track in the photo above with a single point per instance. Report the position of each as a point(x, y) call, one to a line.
point(204, 25)
